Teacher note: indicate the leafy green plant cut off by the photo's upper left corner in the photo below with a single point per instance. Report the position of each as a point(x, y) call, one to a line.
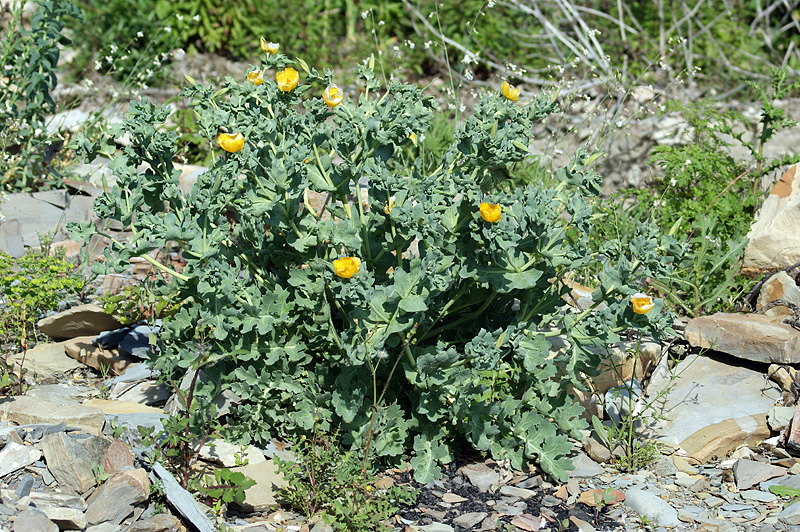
point(28, 59)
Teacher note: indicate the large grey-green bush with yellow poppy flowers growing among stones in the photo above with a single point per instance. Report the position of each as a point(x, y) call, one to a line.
point(414, 321)
